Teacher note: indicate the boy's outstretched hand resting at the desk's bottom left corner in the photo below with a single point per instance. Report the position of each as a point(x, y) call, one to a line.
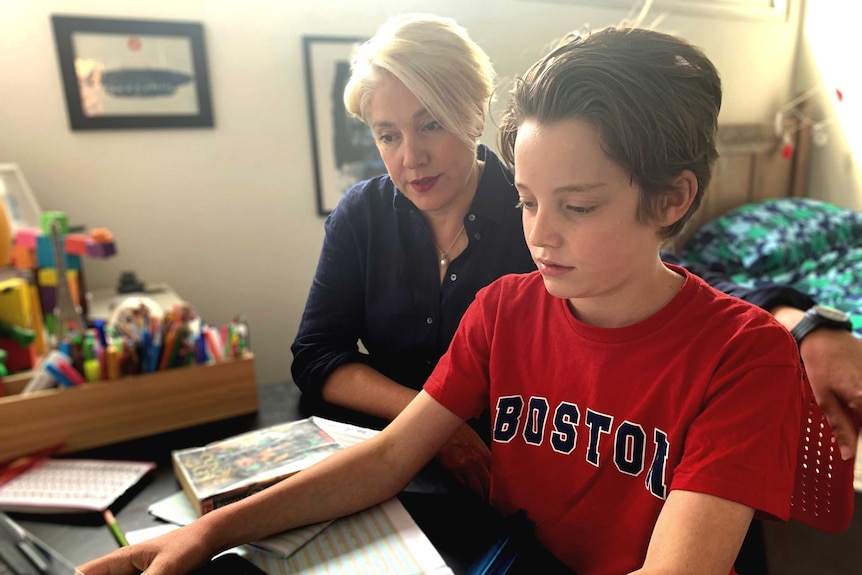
point(174, 553)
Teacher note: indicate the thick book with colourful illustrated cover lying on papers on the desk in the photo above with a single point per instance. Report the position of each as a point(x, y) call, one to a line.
point(231, 469)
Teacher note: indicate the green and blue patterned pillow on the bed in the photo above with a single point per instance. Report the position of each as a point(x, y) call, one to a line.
point(774, 235)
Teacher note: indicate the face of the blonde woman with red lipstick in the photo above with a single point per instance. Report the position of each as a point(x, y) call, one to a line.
point(428, 164)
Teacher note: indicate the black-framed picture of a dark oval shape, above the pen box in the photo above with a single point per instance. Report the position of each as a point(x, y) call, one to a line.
point(133, 73)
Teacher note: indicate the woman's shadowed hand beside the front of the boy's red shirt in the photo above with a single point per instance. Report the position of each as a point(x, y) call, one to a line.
point(467, 457)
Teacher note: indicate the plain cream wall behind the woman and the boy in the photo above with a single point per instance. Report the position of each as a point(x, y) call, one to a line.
point(227, 215)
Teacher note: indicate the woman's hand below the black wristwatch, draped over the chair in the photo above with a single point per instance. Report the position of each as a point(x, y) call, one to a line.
point(833, 361)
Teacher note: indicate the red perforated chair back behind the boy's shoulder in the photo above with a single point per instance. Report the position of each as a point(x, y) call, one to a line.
point(823, 490)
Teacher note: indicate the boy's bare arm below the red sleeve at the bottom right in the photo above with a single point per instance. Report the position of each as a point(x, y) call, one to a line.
point(697, 534)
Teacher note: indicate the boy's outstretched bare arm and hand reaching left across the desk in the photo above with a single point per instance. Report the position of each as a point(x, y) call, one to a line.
point(351, 480)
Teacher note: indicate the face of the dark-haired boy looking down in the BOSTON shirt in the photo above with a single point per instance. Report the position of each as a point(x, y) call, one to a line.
point(580, 215)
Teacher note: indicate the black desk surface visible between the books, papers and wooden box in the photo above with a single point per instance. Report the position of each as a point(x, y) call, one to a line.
point(458, 525)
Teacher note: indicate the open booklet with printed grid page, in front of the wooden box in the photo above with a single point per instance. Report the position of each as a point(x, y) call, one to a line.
point(70, 485)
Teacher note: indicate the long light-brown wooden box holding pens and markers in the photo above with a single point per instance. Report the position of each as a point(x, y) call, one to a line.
point(102, 413)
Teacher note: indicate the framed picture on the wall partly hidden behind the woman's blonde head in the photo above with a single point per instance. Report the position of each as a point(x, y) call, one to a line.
point(343, 147)
